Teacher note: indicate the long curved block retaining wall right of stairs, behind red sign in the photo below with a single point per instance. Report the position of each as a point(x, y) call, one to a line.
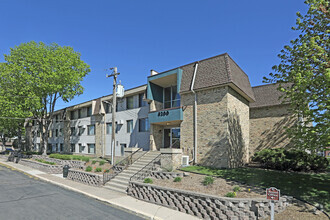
point(205, 206)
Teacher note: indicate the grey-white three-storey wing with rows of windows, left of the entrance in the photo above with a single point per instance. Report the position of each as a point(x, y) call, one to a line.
point(86, 128)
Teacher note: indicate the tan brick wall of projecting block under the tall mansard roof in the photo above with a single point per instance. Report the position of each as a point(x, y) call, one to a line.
point(222, 127)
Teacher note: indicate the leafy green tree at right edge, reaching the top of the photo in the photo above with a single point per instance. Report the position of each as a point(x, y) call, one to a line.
point(305, 67)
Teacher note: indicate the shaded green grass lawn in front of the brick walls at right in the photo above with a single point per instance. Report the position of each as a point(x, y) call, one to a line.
point(313, 188)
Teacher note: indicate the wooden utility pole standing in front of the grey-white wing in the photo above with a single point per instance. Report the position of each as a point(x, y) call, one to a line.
point(114, 103)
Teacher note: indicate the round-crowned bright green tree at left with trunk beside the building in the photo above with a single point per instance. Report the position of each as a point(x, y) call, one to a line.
point(42, 74)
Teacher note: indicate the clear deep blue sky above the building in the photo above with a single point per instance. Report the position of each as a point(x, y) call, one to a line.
point(139, 35)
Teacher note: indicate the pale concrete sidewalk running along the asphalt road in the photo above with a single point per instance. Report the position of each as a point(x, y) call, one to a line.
point(117, 200)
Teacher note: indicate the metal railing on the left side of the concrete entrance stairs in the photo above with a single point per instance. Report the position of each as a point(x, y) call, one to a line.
point(120, 166)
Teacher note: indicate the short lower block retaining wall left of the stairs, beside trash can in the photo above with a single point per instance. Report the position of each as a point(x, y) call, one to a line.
point(85, 177)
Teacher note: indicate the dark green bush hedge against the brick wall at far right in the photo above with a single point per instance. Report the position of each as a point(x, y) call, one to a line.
point(296, 160)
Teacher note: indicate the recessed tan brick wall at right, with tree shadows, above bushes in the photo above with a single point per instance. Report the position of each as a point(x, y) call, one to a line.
point(267, 127)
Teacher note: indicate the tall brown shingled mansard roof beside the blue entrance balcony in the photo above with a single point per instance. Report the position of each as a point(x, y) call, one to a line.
point(215, 71)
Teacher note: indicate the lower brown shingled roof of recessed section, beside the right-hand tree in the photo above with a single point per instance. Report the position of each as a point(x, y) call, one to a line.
point(267, 95)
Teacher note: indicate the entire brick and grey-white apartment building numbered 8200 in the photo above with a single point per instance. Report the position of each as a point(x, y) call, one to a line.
point(204, 112)
